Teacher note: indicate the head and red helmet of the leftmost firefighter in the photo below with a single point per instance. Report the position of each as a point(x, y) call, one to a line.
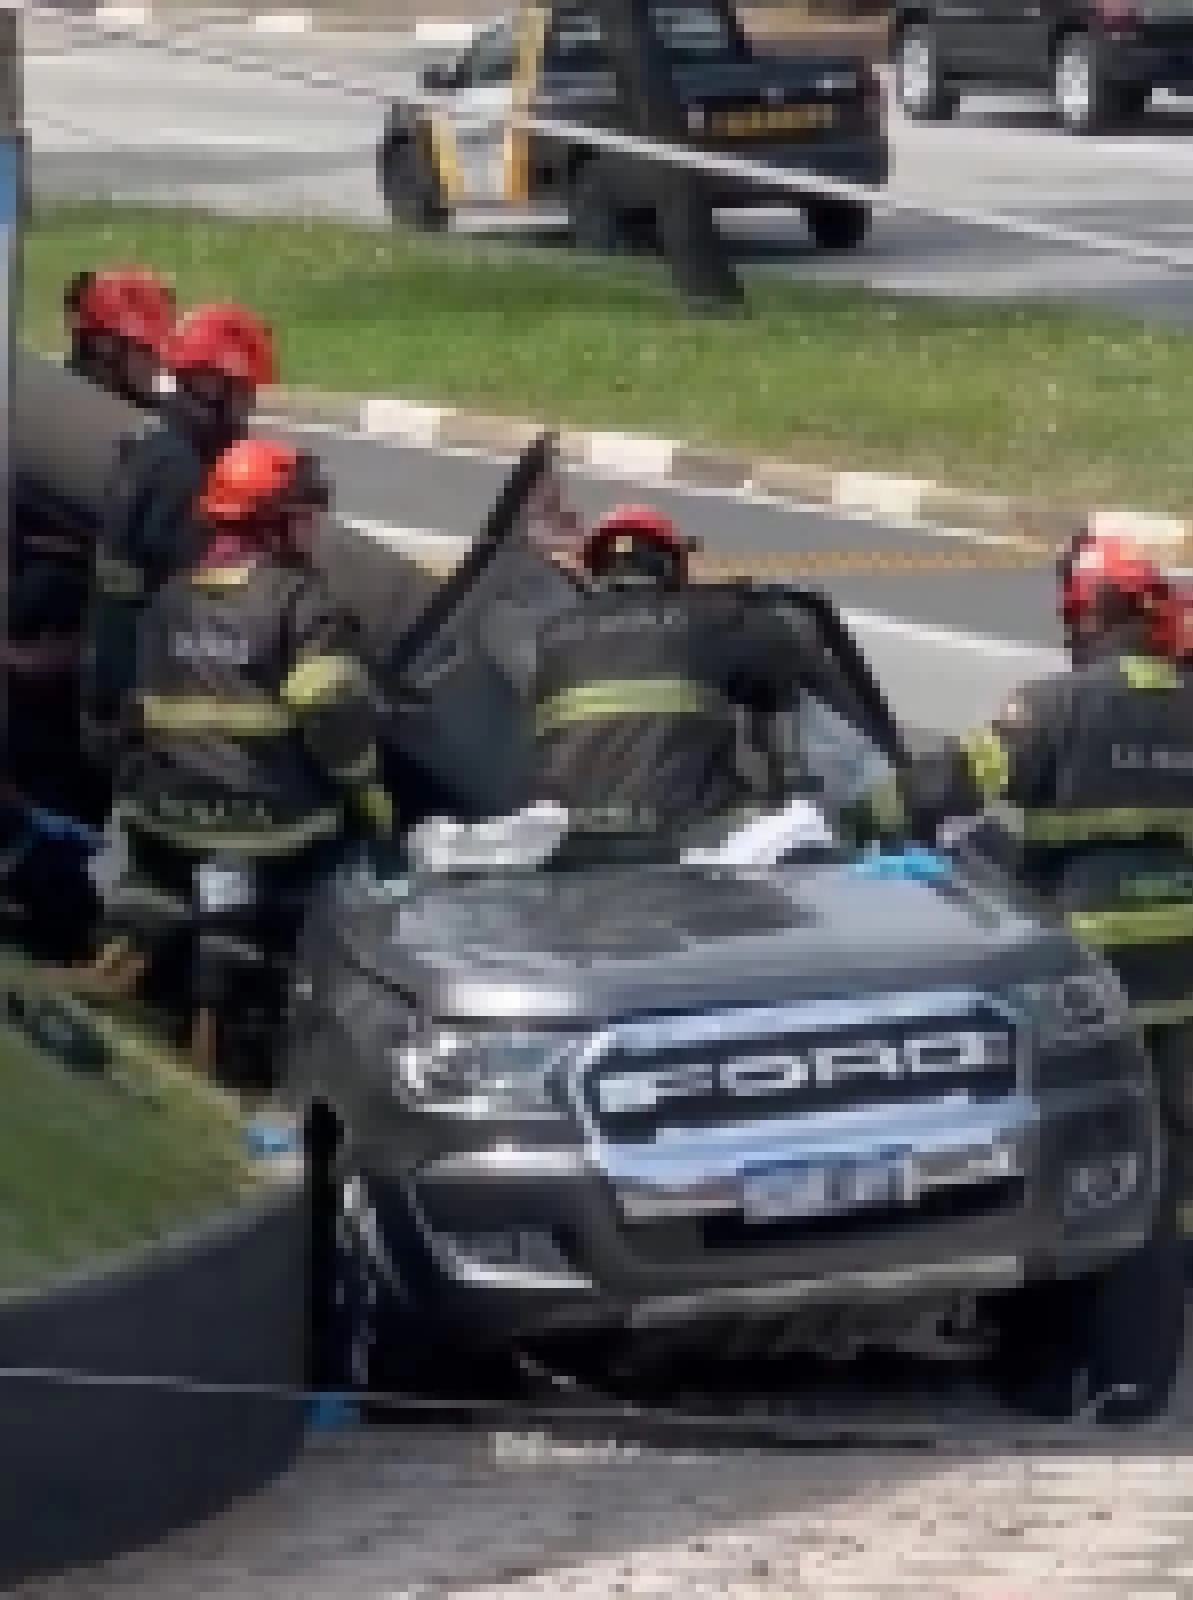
point(118, 322)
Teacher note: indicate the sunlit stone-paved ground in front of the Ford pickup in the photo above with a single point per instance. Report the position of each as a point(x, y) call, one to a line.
point(420, 1514)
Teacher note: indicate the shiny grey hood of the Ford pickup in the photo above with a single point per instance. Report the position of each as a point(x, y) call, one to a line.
point(620, 942)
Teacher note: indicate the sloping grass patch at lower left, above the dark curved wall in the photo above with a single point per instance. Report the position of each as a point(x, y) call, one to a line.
point(94, 1166)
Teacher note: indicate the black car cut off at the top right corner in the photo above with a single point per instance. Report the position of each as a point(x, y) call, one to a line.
point(1101, 60)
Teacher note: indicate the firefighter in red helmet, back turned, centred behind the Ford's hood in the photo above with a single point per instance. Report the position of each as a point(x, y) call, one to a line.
point(636, 692)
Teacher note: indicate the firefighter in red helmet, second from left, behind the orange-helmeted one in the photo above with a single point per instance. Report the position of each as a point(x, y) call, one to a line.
point(218, 358)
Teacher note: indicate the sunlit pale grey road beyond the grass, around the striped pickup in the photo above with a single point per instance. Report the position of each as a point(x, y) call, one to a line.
point(122, 119)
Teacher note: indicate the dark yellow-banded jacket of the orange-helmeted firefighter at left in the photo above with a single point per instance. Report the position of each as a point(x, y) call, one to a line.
point(255, 727)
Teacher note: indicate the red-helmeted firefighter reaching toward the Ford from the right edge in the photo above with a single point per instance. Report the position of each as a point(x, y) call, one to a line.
point(1098, 770)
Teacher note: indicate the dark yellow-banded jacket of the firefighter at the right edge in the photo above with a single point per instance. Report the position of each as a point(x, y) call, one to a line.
point(1096, 769)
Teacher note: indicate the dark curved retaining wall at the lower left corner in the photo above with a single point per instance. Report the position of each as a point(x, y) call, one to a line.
point(92, 1470)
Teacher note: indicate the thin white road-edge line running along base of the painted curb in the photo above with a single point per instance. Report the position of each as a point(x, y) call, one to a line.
point(743, 497)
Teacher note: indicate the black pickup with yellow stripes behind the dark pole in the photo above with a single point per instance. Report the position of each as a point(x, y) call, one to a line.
point(800, 111)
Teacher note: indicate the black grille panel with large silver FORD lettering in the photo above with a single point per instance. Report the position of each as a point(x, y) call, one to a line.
point(842, 1071)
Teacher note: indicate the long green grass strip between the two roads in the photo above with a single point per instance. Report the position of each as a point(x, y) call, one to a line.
point(1066, 406)
